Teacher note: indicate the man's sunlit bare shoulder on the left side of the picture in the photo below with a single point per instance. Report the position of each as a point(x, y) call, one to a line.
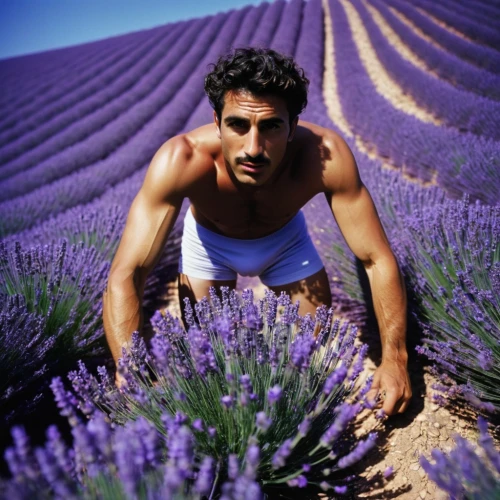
point(179, 163)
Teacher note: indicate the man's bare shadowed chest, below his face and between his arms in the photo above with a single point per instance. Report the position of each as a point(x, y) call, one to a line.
point(222, 206)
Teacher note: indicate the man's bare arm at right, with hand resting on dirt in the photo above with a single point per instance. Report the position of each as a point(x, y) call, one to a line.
point(355, 213)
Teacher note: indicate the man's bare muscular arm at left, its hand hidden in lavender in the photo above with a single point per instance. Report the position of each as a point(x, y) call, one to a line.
point(152, 215)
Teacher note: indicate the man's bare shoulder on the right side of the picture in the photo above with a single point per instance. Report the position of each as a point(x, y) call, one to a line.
point(339, 169)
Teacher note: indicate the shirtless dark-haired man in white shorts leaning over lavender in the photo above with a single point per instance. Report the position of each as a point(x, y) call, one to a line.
point(247, 177)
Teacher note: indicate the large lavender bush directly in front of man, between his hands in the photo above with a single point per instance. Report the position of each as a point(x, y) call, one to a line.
point(263, 396)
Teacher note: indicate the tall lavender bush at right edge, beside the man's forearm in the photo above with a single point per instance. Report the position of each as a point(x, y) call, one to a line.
point(451, 256)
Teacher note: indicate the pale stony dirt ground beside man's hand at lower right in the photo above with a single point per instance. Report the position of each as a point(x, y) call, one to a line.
point(403, 438)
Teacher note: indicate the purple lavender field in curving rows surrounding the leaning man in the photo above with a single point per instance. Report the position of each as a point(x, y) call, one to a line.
point(414, 89)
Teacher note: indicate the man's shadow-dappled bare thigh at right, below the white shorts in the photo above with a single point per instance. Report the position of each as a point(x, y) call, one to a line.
point(312, 292)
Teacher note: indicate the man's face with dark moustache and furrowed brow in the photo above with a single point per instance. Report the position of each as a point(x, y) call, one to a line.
point(254, 133)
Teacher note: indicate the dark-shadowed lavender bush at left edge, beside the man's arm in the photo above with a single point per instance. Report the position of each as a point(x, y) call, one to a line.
point(50, 316)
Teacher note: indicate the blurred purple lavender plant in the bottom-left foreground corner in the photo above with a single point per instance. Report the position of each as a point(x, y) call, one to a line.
point(133, 461)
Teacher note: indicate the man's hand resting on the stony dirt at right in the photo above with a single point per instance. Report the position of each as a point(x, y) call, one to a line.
point(392, 380)
